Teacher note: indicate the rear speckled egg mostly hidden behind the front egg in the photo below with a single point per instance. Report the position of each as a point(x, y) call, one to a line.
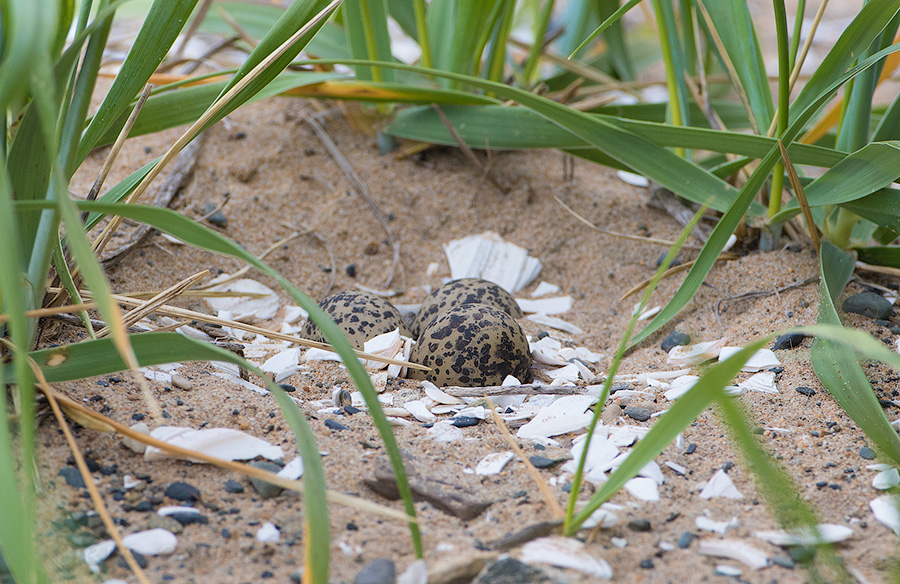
point(464, 291)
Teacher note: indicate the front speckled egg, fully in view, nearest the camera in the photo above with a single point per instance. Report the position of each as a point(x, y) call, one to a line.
point(472, 345)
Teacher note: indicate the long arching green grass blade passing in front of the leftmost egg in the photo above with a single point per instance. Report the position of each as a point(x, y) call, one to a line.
point(197, 235)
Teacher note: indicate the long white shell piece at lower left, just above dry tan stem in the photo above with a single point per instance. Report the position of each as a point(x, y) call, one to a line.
point(223, 443)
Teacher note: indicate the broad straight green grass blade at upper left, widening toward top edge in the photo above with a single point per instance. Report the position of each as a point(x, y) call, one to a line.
point(161, 26)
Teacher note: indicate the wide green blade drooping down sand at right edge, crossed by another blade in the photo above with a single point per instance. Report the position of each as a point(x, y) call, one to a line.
point(838, 369)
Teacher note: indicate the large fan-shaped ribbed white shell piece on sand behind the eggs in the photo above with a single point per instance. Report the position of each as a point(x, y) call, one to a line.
point(489, 257)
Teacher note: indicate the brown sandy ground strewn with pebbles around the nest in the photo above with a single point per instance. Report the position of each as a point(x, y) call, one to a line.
point(280, 179)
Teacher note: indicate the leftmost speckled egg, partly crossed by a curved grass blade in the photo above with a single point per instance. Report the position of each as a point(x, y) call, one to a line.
point(360, 315)
